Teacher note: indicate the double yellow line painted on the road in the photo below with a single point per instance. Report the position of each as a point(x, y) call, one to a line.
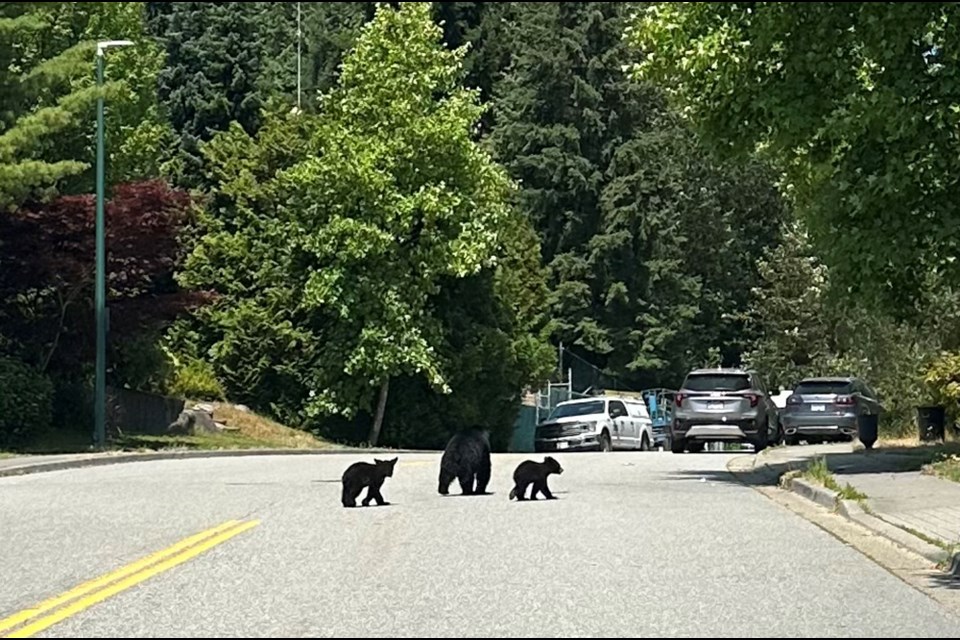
point(99, 589)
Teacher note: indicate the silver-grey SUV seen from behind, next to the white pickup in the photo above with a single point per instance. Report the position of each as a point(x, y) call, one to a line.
point(723, 405)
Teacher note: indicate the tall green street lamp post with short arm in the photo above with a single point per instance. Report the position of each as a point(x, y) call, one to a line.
point(100, 400)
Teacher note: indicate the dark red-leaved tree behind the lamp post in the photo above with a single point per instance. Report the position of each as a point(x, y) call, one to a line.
point(47, 270)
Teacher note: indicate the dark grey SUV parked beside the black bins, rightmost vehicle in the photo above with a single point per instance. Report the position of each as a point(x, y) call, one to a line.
point(826, 409)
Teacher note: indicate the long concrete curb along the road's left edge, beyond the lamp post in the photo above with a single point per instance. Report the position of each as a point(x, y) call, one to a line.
point(95, 460)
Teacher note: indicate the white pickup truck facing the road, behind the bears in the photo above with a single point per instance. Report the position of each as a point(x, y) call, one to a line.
point(602, 423)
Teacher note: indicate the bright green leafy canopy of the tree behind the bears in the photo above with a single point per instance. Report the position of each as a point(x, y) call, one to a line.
point(330, 257)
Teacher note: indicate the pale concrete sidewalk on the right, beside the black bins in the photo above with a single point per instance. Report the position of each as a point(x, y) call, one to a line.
point(903, 504)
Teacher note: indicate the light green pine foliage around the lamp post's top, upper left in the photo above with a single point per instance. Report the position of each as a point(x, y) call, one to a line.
point(47, 98)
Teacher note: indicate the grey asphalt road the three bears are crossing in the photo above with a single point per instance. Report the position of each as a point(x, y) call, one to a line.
point(637, 544)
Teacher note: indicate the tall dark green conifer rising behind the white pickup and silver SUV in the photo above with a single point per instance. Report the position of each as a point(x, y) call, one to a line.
point(649, 245)
